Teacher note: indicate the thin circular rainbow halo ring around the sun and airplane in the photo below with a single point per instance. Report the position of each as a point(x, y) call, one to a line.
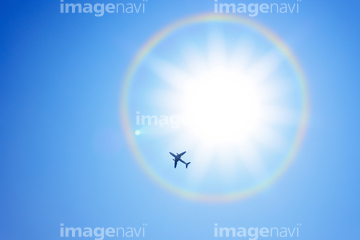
point(160, 36)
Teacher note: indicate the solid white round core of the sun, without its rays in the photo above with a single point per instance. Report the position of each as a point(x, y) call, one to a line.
point(223, 106)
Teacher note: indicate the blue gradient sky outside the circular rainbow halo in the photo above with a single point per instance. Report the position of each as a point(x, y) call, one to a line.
point(64, 158)
